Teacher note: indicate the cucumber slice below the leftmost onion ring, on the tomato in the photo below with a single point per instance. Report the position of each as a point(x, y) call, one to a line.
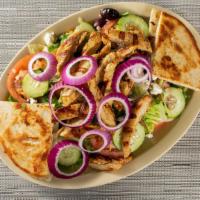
point(33, 88)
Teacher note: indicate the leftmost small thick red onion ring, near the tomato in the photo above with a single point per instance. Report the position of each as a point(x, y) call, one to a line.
point(50, 69)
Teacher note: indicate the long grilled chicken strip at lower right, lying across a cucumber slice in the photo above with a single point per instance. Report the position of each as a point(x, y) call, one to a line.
point(129, 129)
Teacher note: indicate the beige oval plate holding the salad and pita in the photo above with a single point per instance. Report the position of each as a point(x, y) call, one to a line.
point(163, 142)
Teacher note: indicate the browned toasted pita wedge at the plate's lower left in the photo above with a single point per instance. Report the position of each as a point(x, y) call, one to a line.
point(26, 136)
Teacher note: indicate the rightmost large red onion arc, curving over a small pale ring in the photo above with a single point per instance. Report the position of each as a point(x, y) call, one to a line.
point(127, 67)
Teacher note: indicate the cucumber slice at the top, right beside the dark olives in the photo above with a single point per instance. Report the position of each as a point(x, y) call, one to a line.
point(133, 20)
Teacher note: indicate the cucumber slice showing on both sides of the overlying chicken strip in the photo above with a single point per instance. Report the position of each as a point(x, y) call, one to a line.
point(136, 141)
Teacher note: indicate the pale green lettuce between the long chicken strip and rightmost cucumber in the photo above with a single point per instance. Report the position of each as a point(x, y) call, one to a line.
point(154, 115)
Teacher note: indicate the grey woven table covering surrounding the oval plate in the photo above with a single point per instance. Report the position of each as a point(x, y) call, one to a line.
point(175, 176)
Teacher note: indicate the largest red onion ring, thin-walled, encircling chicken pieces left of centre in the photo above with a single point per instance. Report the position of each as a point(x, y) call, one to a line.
point(85, 93)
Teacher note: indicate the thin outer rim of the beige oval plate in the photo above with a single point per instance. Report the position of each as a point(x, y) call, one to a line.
point(115, 178)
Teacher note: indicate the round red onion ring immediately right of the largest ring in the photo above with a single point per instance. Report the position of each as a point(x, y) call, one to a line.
point(117, 97)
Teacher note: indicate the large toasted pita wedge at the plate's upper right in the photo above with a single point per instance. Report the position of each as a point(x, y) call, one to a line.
point(177, 56)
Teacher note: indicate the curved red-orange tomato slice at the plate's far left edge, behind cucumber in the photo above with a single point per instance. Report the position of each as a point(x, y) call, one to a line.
point(22, 64)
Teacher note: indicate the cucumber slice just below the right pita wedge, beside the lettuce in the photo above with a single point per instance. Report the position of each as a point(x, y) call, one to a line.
point(174, 101)
